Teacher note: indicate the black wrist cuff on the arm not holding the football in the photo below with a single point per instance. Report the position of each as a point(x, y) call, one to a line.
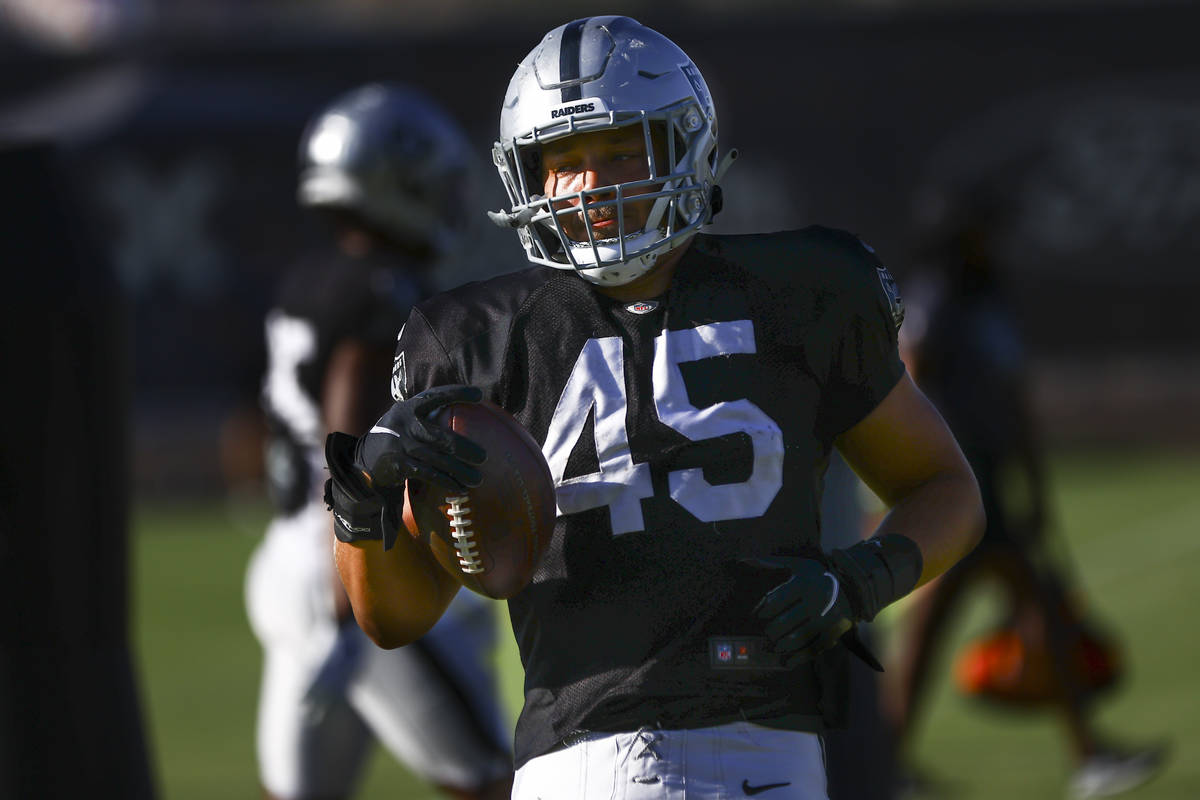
point(878, 573)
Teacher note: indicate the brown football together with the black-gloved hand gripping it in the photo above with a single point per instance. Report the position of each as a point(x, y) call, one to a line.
point(460, 476)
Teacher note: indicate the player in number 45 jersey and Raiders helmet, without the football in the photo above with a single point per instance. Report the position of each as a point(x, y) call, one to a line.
point(686, 634)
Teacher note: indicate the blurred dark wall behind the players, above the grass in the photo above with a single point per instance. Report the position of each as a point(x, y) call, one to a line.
point(179, 124)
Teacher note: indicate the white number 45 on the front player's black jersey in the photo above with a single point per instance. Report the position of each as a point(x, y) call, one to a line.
point(598, 383)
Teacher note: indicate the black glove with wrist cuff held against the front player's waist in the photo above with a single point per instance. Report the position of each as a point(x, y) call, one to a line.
point(820, 605)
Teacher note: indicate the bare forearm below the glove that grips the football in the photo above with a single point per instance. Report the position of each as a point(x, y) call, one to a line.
point(398, 596)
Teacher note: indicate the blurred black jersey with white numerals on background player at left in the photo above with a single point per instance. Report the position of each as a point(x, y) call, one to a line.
point(321, 304)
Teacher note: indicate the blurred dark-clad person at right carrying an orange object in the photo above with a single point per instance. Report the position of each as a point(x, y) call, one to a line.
point(963, 346)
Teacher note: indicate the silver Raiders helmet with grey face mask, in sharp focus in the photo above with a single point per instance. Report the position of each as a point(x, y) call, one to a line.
point(599, 74)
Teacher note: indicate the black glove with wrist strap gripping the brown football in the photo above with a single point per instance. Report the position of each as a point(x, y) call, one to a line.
point(367, 476)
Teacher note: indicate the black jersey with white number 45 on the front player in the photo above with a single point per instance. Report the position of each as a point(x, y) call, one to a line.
point(685, 434)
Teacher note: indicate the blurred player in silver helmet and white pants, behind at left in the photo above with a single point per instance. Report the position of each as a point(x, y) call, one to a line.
point(392, 175)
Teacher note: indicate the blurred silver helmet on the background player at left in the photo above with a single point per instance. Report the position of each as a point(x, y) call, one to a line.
point(391, 158)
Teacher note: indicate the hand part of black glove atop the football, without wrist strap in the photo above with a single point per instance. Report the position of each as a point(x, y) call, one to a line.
point(407, 443)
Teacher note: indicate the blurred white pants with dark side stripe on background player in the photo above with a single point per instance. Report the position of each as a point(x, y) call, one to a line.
point(434, 705)
